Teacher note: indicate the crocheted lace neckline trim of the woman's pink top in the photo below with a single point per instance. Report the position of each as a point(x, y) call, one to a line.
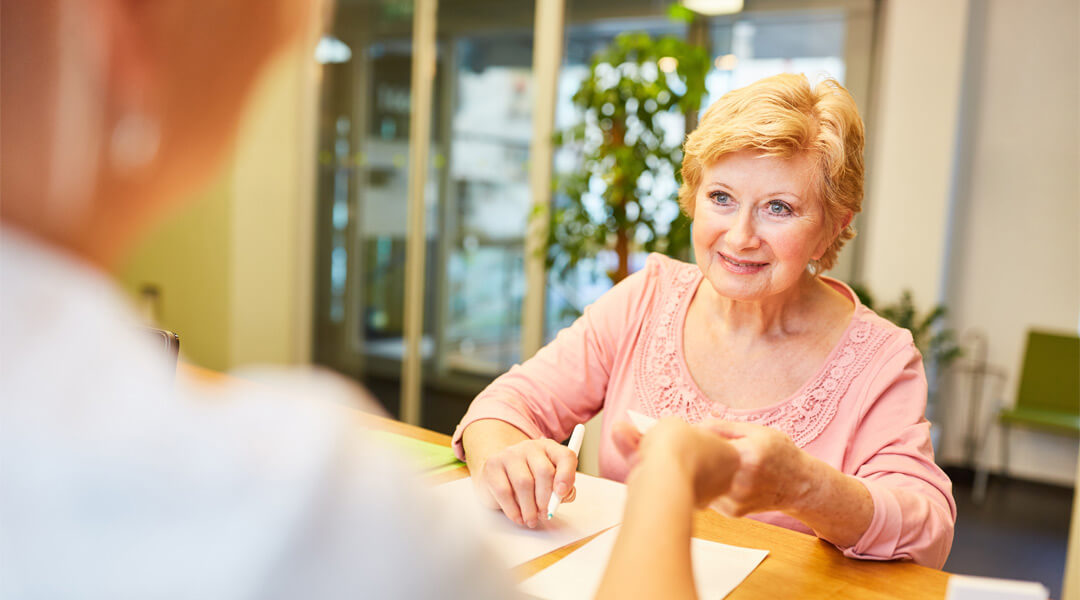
point(666, 388)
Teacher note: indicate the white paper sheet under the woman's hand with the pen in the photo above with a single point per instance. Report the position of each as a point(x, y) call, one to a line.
point(599, 506)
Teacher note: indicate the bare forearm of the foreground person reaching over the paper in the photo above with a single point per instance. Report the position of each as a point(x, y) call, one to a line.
point(652, 558)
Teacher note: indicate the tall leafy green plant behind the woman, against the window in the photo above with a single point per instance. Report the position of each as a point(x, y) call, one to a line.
point(625, 155)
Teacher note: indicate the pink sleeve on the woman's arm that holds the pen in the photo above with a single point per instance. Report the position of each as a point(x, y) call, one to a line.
point(565, 383)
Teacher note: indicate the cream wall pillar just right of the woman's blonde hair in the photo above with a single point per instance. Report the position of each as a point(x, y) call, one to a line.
point(911, 147)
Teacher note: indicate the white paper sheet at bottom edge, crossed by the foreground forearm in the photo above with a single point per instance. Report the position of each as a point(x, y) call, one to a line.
point(718, 570)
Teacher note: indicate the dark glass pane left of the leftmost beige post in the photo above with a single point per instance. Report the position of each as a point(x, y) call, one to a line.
point(362, 186)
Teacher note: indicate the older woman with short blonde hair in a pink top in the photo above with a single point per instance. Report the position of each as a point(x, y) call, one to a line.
point(823, 399)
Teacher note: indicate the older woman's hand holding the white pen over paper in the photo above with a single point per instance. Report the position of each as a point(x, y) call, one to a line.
point(521, 479)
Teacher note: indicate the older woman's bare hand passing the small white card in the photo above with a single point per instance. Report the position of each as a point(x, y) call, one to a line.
point(773, 472)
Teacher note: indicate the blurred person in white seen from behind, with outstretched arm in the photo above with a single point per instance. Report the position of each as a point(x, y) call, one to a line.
point(117, 484)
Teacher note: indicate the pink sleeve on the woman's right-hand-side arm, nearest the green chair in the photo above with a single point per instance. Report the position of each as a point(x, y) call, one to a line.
point(914, 511)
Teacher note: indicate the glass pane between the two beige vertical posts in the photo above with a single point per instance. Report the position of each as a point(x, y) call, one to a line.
point(489, 201)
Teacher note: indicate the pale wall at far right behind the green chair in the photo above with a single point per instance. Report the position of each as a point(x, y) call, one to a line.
point(1017, 258)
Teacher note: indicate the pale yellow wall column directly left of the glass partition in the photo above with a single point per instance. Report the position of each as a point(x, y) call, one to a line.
point(274, 222)
